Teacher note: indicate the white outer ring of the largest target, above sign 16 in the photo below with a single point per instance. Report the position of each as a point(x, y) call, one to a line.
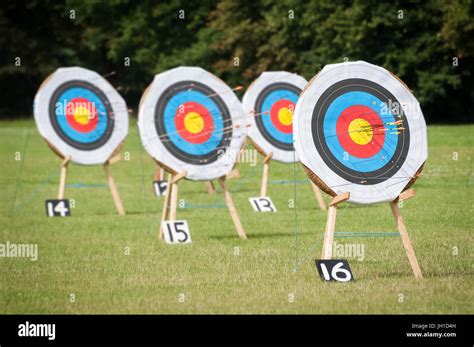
point(309, 156)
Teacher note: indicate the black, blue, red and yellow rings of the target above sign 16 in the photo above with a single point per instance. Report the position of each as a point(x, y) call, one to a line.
point(350, 128)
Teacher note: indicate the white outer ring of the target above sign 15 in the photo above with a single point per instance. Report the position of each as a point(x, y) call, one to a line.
point(153, 144)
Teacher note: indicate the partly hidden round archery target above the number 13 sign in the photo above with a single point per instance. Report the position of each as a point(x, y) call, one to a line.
point(270, 102)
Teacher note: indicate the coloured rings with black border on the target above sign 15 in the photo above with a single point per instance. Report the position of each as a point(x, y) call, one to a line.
point(193, 122)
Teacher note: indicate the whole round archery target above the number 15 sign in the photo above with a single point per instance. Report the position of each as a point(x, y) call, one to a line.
point(189, 120)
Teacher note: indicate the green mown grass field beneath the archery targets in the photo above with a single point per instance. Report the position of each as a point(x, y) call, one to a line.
point(84, 254)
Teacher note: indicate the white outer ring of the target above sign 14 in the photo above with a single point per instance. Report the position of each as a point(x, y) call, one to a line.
point(45, 128)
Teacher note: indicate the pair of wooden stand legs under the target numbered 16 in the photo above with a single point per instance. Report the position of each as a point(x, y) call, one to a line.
point(331, 223)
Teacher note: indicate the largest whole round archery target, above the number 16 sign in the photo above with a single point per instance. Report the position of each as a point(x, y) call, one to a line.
point(359, 129)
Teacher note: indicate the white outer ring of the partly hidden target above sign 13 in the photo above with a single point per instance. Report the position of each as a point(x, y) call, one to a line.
point(248, 102)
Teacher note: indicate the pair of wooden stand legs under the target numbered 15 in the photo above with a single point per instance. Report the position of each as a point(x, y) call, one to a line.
point(171, 200)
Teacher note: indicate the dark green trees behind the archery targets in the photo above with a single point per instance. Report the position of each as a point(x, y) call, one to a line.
point(421, 48)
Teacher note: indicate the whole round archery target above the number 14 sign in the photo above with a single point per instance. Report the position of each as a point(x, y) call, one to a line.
point(81, 114)
